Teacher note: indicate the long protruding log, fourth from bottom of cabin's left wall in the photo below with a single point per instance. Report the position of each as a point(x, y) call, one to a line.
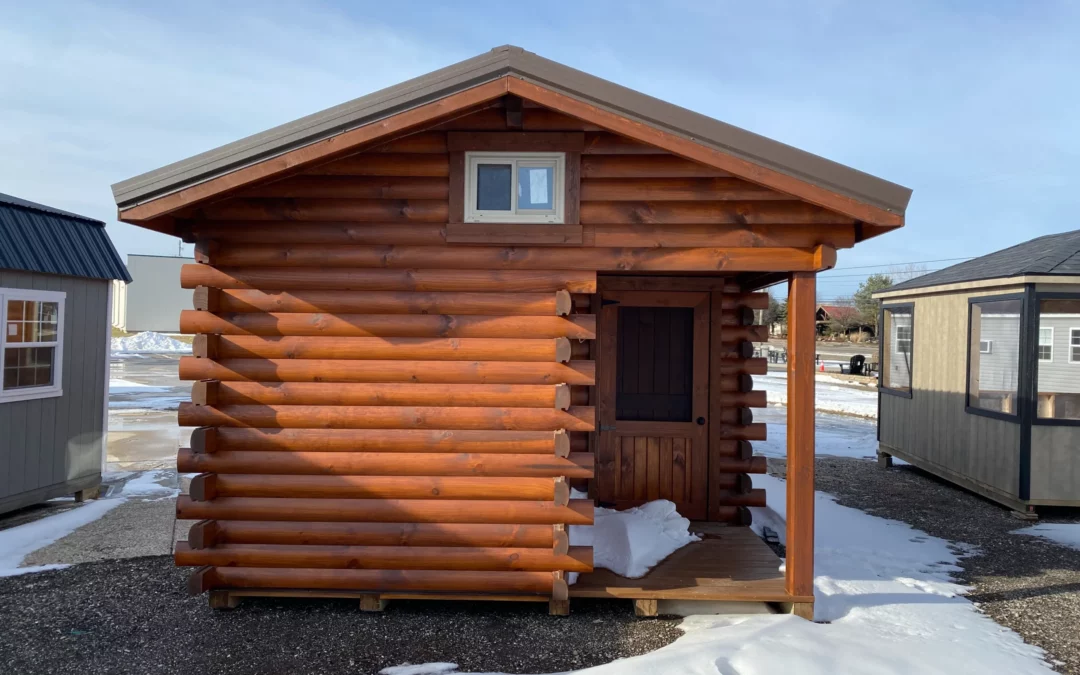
point(578, 512)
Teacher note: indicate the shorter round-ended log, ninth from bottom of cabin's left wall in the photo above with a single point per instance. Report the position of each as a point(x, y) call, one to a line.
point(387, 395)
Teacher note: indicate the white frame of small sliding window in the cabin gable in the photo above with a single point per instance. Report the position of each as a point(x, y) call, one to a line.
point(558, 215)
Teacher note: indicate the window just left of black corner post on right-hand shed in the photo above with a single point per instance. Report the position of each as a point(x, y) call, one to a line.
point(993, 375)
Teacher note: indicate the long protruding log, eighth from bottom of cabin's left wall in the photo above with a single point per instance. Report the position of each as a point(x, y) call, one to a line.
point(385, 417)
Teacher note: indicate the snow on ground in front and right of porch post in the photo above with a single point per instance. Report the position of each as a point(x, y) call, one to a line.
point(888, 604)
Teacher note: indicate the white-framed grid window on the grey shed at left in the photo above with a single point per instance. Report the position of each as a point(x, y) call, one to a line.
point(32, 344)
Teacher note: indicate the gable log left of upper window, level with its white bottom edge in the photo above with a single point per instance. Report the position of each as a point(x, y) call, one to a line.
point(314, 210)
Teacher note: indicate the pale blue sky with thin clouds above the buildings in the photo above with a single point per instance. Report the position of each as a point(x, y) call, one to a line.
point(974, 105)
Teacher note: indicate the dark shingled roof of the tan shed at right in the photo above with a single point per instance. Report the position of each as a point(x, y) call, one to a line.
point(1052, 255)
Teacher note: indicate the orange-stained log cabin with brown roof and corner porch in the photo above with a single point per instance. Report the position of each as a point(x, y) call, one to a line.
point(424, 316)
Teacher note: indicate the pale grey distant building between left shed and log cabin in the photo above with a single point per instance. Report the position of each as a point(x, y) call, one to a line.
point(154, 299)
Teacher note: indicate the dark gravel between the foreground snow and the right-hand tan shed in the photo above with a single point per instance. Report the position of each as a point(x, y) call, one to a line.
point(1027, 584)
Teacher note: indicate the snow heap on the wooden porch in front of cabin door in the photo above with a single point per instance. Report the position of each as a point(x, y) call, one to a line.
point(632, 543)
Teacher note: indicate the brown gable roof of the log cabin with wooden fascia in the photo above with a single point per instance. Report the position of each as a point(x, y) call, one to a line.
point(516, 64)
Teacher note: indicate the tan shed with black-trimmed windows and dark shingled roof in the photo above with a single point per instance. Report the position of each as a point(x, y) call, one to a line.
point(981, 373)
